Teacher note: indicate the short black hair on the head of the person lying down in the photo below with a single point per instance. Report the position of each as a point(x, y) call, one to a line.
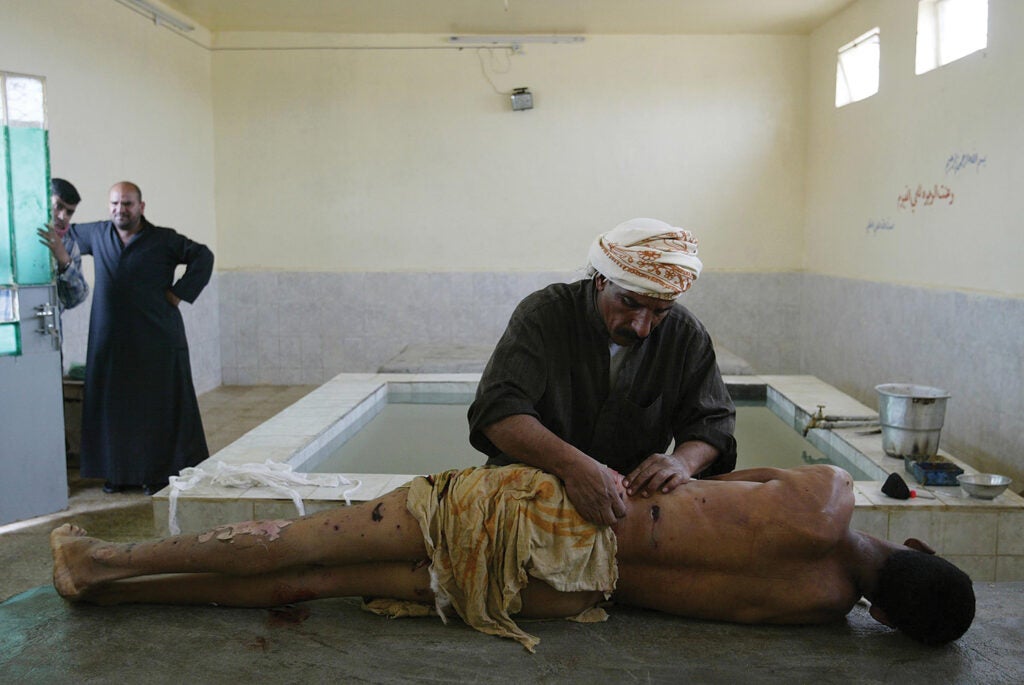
point(926, 597)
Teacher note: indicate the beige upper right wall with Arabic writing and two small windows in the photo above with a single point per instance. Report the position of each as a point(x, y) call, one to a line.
point(864, 157)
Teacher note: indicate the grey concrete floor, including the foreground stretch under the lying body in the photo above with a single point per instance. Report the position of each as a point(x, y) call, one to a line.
point(46, 640)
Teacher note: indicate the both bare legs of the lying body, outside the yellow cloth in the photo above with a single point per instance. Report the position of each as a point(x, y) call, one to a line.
point(370, 549)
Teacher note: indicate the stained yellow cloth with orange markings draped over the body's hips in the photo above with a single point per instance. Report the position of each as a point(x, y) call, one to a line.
point(489, 530)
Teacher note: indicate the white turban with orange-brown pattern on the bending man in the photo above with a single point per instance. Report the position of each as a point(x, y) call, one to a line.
point(648, 258)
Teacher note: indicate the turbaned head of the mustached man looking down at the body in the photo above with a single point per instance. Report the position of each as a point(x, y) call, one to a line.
point(639, 269)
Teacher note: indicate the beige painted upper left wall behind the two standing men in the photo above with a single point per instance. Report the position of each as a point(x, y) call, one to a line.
point(126, 100)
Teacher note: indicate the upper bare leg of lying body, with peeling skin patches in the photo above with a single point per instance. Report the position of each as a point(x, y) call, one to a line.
point(375, 532)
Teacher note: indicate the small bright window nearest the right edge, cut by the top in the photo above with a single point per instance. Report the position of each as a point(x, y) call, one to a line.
point(949, 30)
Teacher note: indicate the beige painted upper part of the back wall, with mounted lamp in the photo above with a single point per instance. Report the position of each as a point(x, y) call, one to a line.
point(337, 159)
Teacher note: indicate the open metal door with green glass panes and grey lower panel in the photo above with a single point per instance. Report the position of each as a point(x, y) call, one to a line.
point(33, 466)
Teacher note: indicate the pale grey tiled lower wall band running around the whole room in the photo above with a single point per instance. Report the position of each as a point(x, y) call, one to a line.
point(306, 328)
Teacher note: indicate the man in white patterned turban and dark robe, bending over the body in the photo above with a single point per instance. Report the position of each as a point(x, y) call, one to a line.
point(602, 375)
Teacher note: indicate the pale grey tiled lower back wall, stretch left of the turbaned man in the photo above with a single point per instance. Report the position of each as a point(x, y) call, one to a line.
point(307, 328)
